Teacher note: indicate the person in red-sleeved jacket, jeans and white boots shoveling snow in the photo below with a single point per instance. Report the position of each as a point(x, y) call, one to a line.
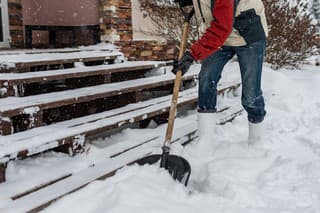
point(238, 28)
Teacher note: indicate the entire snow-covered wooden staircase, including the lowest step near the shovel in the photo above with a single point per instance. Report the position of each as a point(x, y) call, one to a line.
point(59, 102)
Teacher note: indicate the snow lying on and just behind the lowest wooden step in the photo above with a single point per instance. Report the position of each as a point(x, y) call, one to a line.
point(99, 163)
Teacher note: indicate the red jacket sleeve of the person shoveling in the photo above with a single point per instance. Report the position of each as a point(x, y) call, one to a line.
point(218, 32)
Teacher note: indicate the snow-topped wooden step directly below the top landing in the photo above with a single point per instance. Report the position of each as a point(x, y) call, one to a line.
point(16, 84)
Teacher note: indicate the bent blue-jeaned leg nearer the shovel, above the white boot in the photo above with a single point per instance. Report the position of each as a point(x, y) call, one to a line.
point(209, 76)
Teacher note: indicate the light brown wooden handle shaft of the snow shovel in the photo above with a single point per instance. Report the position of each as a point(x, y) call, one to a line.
point(177, 82)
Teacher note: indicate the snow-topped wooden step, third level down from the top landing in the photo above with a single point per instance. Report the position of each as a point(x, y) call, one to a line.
point(33, 109)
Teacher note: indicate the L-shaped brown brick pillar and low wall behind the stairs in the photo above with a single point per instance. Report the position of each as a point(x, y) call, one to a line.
point(116, 26)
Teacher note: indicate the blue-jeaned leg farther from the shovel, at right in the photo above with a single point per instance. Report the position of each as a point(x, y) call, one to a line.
point(251, 61)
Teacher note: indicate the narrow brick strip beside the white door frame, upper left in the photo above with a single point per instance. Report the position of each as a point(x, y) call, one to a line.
point(16, 23)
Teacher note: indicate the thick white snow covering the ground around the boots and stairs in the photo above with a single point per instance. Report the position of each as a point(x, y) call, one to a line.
point(279, 175)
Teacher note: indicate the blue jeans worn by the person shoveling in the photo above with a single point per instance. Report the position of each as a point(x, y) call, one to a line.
point(251, 61)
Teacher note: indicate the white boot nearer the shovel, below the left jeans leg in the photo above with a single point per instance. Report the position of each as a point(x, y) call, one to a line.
point(206, 125)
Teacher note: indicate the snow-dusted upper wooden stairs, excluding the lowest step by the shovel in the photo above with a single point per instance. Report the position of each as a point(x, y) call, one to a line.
point(45, 104)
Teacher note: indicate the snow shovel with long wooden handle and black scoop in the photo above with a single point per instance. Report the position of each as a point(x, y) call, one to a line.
point(178, 167)
